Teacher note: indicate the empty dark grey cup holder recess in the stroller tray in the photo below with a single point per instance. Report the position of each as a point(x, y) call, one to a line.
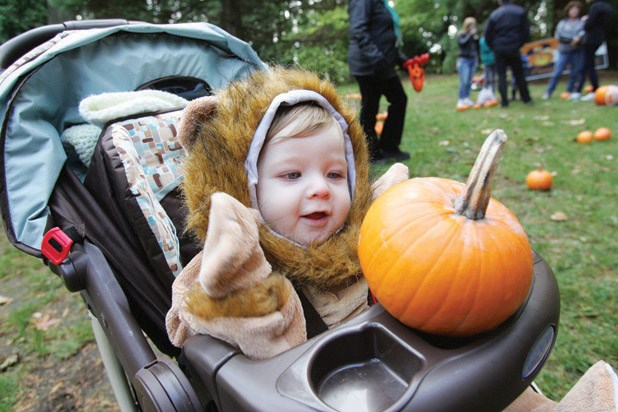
point(363, 370)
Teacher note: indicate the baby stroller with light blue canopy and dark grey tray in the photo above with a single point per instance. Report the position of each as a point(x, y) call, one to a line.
point(111, 228)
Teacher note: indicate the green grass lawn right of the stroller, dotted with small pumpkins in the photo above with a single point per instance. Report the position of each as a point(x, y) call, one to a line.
point(582, 250)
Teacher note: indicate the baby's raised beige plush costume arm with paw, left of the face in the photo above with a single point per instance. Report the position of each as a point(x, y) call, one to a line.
point(229, 291)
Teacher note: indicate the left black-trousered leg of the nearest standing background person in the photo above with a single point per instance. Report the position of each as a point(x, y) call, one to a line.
point(370, 89)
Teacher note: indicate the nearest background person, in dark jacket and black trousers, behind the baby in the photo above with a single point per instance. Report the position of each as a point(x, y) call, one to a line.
point(372, 56)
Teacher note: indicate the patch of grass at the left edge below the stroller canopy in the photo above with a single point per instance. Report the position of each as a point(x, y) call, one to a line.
point(35, 292)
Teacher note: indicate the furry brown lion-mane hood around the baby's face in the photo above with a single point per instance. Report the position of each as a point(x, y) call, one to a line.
point(217, 132)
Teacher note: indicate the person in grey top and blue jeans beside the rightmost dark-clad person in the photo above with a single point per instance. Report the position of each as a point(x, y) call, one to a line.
point(569, 32)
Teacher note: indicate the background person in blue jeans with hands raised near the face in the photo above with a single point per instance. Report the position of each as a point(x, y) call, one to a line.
point(467, 61)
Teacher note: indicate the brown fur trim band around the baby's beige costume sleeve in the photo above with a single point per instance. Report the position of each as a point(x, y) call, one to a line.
point(261, 299)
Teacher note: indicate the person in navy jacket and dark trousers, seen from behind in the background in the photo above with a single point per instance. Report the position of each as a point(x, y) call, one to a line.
point(508, 28)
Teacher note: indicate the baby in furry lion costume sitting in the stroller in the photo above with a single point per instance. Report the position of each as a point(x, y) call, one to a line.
point(276, 183)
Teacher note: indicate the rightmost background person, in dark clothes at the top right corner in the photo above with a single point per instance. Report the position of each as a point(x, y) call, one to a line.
point(595, 23)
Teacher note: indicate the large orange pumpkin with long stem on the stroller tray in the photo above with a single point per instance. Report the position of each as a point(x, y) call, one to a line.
point(444, 257)
